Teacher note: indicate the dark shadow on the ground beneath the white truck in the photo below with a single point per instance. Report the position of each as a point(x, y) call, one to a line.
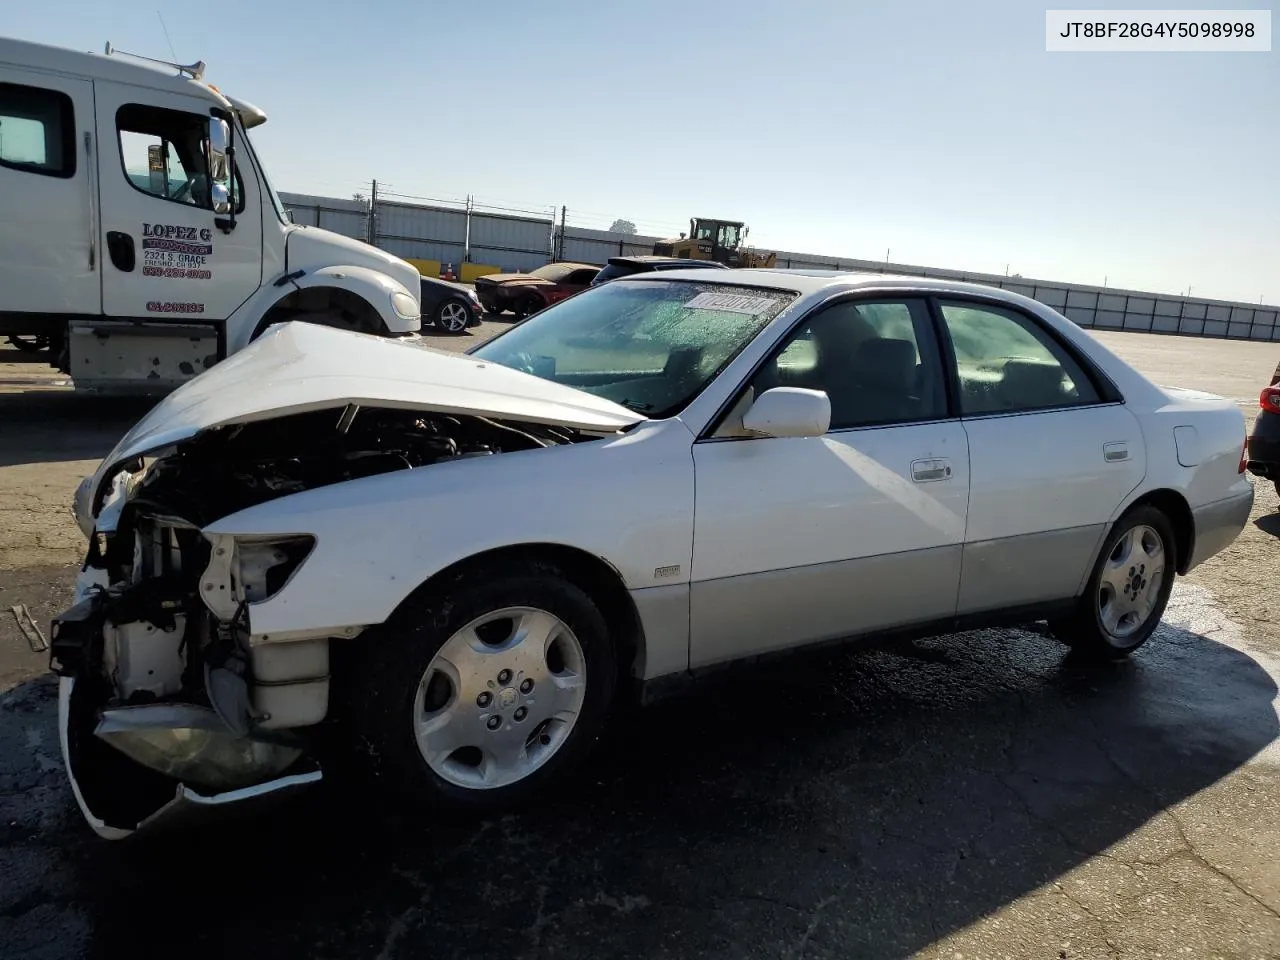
point(40, 427)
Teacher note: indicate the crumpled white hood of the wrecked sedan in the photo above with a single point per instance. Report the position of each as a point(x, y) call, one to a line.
point(298, 368)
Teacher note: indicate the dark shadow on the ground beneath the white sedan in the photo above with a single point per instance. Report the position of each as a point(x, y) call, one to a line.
point(863, 803)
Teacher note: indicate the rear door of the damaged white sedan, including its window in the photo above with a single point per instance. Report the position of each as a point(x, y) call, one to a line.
point(1052, 458)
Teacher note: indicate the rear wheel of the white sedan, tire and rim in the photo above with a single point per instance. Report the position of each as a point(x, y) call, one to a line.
point(1109, 623)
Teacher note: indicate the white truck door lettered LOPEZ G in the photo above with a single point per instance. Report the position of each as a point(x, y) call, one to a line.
point(164, 253)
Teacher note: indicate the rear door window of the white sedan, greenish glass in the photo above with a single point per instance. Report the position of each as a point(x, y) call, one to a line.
point(1007, 364)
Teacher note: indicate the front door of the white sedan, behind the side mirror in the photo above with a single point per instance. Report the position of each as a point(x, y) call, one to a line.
point(806, 540)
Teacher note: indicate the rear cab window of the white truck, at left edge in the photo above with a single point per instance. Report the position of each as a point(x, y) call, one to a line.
point(38, 131)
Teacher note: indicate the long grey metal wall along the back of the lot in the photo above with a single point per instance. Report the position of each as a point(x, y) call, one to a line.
point(515, 243)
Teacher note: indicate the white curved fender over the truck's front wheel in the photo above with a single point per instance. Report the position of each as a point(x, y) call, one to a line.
point(377, 290)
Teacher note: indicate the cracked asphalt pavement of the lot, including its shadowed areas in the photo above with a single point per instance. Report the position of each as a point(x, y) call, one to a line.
point(977, 796)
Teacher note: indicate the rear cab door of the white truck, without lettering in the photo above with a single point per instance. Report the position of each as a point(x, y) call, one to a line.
point(48, 258)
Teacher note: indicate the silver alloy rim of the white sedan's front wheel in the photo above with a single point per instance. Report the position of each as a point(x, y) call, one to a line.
point(501, 698)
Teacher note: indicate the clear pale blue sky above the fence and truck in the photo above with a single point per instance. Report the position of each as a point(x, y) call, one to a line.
point(939, 130)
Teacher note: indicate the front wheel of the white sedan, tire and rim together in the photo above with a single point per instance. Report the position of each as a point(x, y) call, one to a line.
point(405, 691)
